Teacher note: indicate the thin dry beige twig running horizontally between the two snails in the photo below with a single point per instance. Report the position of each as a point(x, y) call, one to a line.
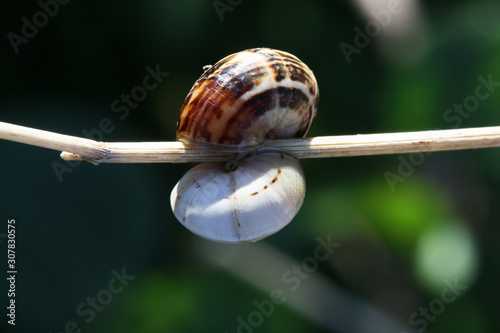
point(75, 148)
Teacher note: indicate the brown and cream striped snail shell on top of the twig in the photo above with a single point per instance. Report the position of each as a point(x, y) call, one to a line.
point(248, 97)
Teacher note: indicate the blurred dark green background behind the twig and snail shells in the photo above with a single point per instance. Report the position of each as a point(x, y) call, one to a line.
point(420, 255)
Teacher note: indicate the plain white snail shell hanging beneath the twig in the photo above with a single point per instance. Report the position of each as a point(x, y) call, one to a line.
point(243, 201)
